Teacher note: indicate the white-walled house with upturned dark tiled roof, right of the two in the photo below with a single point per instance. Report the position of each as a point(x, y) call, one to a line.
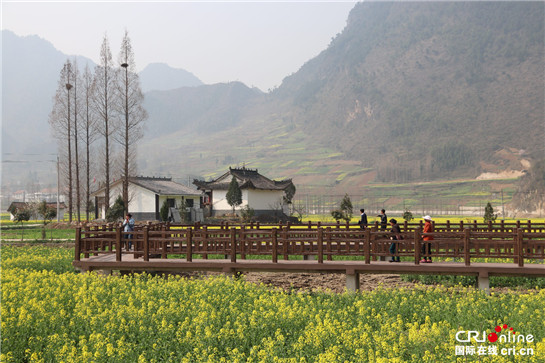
point(263, 195)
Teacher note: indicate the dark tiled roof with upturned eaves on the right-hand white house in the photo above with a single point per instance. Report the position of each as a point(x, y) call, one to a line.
point(246, 178)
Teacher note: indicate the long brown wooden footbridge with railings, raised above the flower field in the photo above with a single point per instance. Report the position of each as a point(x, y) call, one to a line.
point(464, 249)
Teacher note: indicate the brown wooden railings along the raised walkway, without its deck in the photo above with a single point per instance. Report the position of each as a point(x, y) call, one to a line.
point(321, 243)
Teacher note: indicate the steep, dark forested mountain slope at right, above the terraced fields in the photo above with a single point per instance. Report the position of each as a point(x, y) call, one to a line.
point(426, 88)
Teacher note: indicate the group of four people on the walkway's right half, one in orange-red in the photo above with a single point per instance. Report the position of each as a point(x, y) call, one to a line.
point(395, 234)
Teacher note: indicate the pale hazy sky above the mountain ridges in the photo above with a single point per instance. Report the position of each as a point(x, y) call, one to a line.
point(258, 43)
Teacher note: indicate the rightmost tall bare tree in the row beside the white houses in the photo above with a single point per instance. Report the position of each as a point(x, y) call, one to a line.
point(134, 114)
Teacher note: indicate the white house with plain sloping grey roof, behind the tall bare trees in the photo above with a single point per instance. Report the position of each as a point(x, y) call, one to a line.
point(147, 195)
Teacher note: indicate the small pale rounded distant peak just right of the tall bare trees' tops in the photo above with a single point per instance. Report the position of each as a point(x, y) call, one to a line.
point(162, 77)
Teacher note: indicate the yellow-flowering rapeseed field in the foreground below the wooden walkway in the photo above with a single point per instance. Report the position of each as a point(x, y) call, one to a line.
point(49, 313)
